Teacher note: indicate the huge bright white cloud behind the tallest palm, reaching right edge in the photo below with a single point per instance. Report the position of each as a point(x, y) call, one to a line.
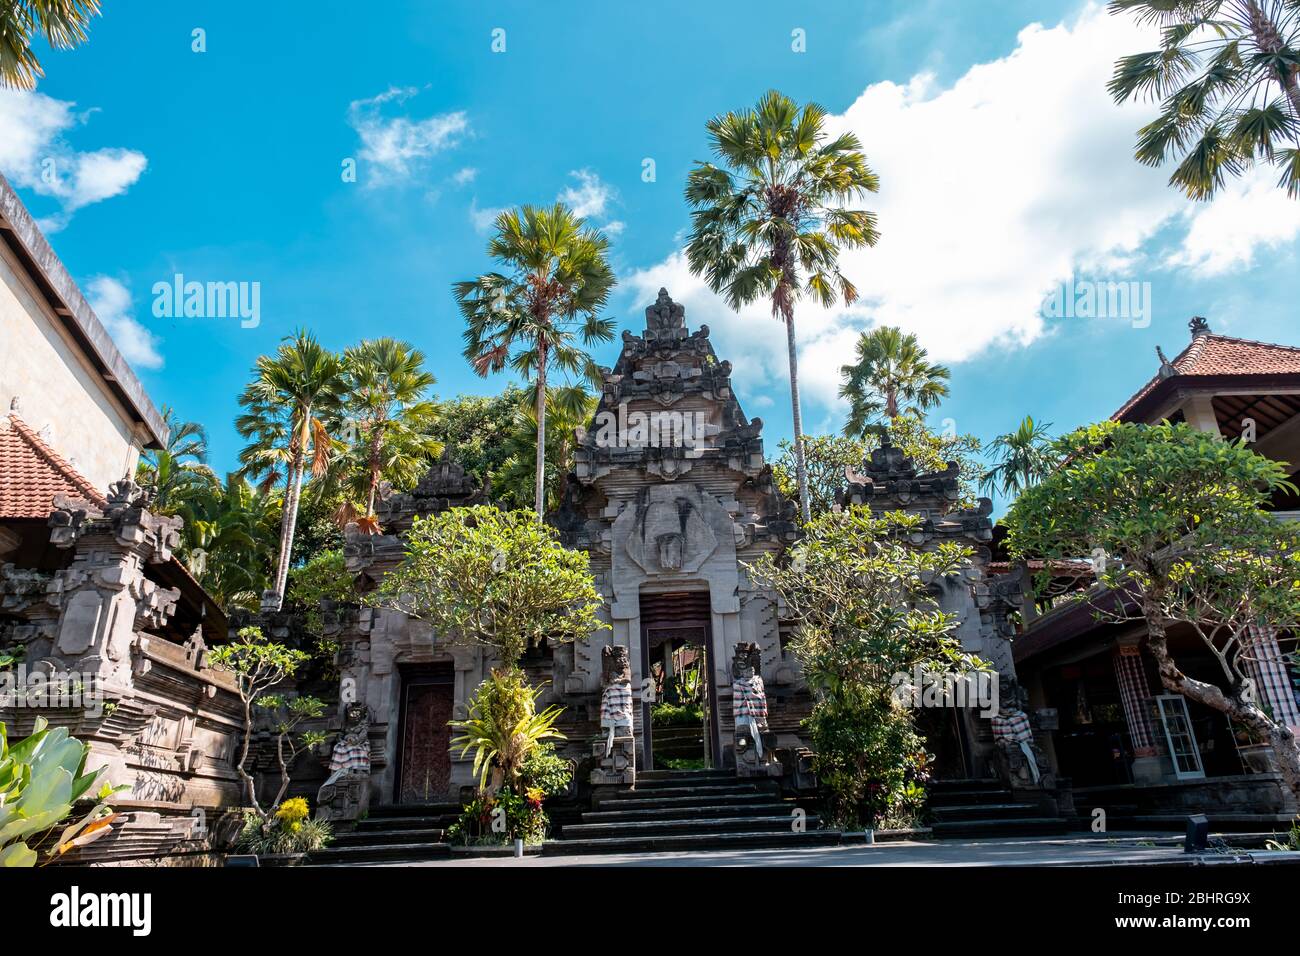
point(994, 191)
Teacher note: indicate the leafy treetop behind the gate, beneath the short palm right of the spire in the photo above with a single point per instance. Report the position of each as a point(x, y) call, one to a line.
point(827, 457)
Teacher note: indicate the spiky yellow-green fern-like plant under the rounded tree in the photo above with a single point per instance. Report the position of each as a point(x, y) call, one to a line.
point(504, 728)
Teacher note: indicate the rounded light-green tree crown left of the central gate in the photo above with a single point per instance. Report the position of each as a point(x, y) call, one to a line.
point(495, 578)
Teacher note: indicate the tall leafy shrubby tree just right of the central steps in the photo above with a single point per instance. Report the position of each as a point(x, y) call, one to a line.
point(860, 595)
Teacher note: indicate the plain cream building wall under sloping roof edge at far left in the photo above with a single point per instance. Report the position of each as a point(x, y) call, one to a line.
point(59, 393)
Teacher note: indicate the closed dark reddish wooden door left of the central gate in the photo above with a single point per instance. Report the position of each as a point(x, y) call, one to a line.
point(424, 759)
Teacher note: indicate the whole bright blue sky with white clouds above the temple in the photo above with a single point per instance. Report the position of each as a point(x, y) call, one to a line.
point(1006, 172)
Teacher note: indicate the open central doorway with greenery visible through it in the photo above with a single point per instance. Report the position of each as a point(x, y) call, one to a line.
point(681, 725)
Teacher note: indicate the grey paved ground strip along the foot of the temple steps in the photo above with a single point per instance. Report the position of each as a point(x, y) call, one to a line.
point(1084, 850)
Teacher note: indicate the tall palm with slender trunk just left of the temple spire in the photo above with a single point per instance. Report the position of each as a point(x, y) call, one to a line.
point(534, 315)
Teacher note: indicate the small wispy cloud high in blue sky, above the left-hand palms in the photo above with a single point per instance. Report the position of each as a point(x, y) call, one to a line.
point(396, 148)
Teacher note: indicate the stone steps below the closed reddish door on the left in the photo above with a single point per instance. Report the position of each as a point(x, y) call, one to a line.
point(393, 834)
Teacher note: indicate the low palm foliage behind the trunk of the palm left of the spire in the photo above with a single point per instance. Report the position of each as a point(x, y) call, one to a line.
point(567, 410)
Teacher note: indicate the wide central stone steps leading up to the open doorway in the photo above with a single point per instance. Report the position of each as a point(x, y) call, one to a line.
point(690, 811)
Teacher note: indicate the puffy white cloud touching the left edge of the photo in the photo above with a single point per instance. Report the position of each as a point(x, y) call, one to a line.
point(36, 155)
